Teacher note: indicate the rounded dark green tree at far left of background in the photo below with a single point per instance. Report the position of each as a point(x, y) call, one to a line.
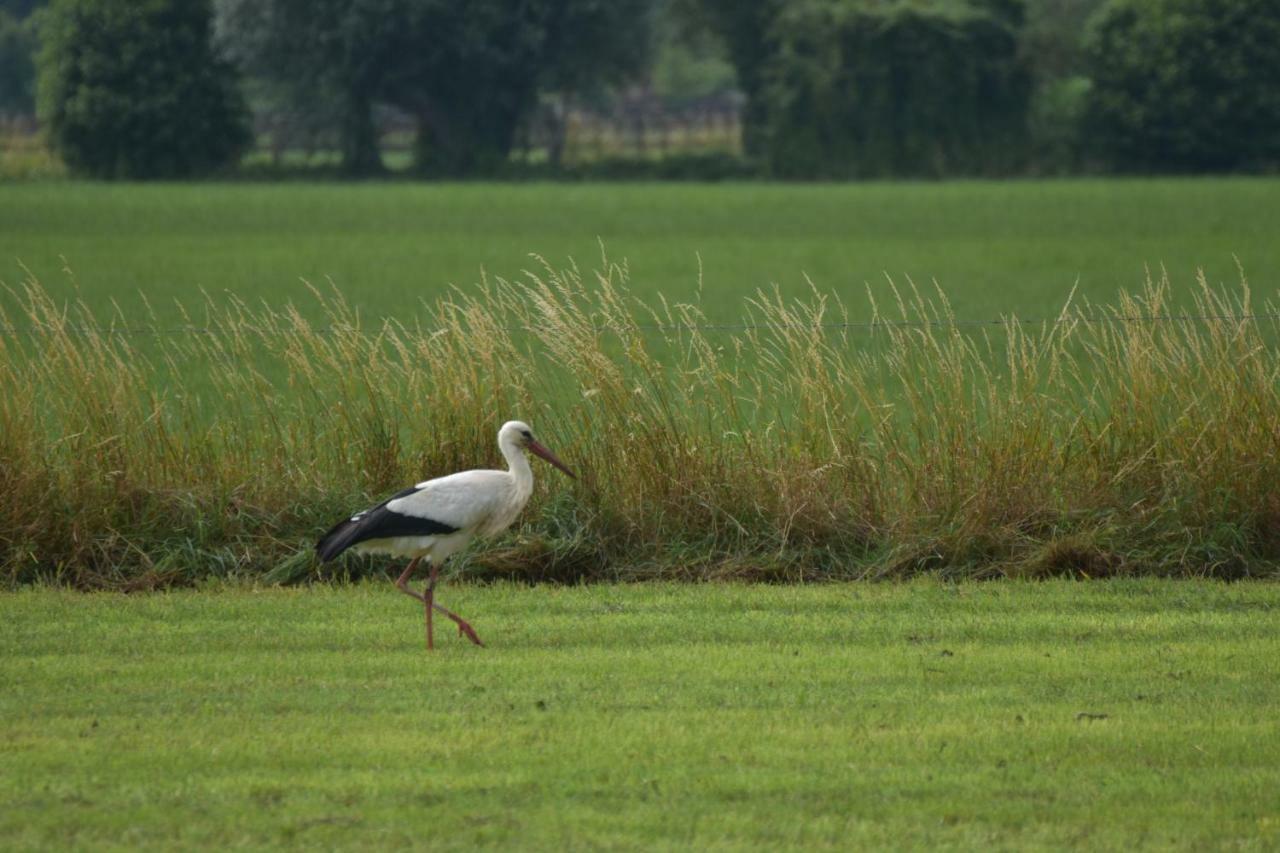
point(131, 89)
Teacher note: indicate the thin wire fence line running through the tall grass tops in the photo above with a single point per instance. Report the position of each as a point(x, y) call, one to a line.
point(140, 331)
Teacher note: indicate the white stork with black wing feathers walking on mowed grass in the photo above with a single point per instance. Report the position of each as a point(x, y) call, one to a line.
point(438, 518)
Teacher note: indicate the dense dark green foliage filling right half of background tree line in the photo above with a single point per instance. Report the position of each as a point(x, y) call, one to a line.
point(857, 88)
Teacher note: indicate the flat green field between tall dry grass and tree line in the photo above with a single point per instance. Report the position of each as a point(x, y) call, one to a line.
point(994, 248)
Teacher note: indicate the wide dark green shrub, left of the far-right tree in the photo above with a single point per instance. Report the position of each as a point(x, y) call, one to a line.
point(860, 90)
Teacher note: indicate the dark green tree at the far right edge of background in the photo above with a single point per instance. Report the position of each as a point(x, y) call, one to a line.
point(1186, 85)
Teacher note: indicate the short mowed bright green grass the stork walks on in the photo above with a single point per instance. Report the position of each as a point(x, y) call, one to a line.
point(1104, 715)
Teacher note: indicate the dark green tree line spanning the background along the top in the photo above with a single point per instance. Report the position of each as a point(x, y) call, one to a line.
point(834, 89)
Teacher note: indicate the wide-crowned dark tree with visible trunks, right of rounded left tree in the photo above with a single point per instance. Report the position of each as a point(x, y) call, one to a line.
point(469, 71)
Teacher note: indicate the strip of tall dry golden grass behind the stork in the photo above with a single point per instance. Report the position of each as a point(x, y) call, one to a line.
point(807, 445)
